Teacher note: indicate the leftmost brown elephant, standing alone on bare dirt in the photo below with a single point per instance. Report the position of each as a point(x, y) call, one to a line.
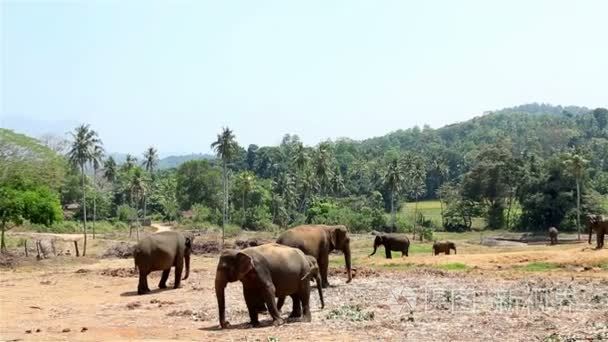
point(160, 252)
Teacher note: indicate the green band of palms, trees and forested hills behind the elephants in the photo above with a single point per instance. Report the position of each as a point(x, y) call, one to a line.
point(523, 168)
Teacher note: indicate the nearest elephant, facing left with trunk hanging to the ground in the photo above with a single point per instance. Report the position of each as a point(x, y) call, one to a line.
point(267, 271)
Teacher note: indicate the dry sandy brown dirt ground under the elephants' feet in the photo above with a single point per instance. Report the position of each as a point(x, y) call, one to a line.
point(92, 299)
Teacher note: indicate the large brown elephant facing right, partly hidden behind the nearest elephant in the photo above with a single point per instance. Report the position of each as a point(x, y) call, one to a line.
point(318, 241)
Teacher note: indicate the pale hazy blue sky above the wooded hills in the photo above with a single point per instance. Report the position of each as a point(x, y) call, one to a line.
point(172, 73)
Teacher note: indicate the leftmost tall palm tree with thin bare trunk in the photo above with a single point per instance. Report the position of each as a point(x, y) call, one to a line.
point(85, 142)
